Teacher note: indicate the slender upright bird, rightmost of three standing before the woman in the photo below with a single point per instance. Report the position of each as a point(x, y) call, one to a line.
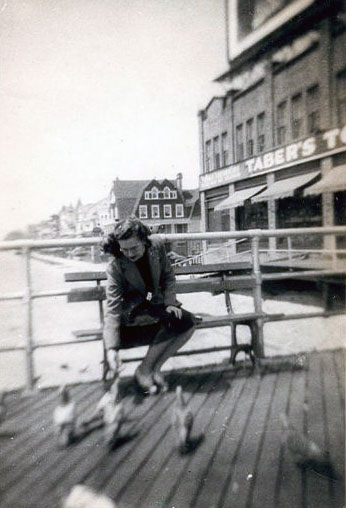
point(182, 421)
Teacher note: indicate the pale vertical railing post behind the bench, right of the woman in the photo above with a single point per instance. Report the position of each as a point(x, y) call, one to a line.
point(256, 270)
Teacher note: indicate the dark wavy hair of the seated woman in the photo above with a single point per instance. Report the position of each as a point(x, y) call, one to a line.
point(122, 231)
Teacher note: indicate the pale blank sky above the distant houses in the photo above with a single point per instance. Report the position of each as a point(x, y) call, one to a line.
point(94, 90)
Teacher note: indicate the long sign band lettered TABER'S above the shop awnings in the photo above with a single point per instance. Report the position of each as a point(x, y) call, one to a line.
point(315, 146)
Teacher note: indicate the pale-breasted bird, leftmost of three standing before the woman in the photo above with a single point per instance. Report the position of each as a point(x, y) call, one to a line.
point(64, 417)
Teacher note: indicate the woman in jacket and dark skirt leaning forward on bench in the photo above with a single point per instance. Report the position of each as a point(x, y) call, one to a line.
point(141, 303)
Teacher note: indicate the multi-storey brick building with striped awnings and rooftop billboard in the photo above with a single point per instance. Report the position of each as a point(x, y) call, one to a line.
point(273, 145)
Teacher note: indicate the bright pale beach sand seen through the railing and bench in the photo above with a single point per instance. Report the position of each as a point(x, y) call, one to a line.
point(54, 320)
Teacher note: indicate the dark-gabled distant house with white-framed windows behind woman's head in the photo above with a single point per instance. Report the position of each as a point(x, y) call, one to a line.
point(161, 204)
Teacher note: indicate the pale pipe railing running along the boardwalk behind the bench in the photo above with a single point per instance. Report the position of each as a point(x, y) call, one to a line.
point(28, 295)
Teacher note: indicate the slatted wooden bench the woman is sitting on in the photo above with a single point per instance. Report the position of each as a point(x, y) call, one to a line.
point(213, 278)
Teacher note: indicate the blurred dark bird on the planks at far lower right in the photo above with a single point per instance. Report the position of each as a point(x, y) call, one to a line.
point(306, 453)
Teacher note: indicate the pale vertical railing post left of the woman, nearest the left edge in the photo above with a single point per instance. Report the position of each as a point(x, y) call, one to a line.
point(27, 301)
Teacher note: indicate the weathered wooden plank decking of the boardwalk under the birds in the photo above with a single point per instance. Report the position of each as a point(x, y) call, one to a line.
point(241, 461)
